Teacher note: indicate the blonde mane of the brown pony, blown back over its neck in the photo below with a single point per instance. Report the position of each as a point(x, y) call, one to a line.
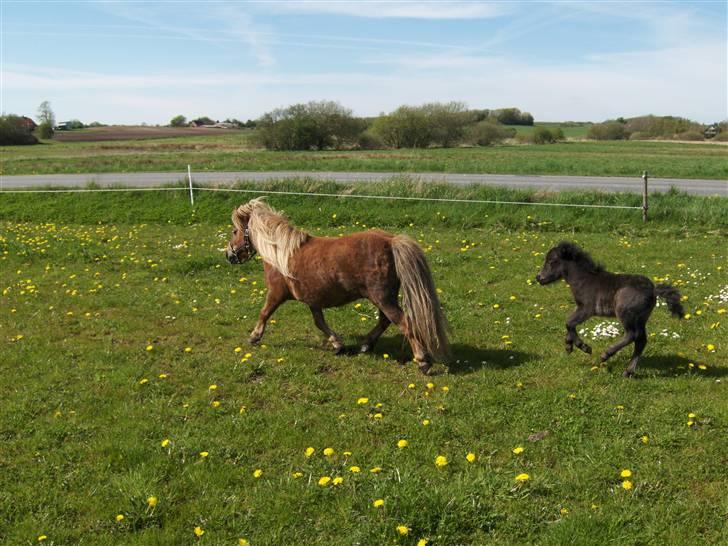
point(272, 235)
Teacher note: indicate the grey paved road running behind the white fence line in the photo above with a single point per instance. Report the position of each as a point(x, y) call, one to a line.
point(545, 183)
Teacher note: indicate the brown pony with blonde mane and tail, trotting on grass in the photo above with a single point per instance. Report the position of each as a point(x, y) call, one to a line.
point(332, 271)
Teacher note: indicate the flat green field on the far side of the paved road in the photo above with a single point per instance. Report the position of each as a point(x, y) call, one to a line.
point(234, 152)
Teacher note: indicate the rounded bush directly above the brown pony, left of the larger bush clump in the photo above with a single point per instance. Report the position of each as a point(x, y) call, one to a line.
point(315, 125)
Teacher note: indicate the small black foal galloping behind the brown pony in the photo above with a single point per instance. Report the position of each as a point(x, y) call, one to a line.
point(630, 298)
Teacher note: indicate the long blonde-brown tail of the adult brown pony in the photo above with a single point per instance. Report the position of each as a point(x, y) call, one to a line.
point(424, 317)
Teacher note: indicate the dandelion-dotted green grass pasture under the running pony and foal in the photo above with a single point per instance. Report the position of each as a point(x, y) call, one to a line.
point(134, 412)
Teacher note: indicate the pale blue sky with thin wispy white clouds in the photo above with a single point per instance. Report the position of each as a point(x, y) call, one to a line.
point(131, 62)
